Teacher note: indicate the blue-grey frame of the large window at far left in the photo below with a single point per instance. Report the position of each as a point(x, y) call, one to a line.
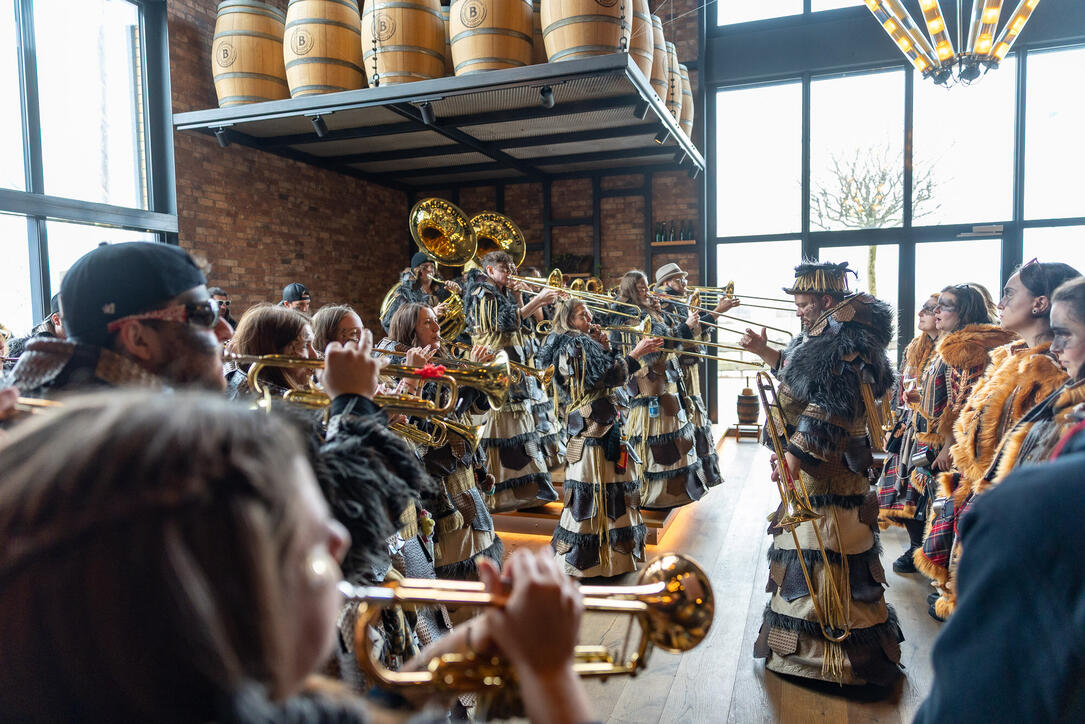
point(37, 208)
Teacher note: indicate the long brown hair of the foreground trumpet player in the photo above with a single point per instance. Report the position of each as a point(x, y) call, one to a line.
point(142, 575)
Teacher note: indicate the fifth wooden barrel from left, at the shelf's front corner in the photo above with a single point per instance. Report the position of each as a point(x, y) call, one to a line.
point(581, 29)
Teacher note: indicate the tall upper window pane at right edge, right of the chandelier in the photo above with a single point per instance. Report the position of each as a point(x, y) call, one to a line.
point(1055, 117)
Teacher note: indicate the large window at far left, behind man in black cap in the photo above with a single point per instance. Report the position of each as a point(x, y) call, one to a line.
point(79, 139)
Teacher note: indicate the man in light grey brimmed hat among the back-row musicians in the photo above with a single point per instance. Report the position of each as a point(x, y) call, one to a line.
point(671, 282)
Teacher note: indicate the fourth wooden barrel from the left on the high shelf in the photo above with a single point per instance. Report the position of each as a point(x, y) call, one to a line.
point(490, 35)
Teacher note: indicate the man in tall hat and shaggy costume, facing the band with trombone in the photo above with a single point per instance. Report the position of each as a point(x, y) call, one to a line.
point(829, 417)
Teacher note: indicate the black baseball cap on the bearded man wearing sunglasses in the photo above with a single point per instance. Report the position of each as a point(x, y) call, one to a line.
point(119, 281)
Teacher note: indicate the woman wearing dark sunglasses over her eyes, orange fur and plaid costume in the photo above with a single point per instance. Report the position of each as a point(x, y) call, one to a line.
point(961, 359)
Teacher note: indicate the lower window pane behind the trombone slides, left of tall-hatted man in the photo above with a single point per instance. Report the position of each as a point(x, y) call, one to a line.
point(761, 269)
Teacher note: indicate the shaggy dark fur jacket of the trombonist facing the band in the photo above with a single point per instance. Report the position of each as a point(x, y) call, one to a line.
point(824, 370)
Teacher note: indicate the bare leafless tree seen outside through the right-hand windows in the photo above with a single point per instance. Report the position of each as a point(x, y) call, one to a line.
point(865, 190)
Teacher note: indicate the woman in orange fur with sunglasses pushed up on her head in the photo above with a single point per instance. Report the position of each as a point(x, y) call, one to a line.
point(1020, 375)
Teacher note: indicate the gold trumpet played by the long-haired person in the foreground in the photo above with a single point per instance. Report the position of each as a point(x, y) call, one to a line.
point(672, 602)
